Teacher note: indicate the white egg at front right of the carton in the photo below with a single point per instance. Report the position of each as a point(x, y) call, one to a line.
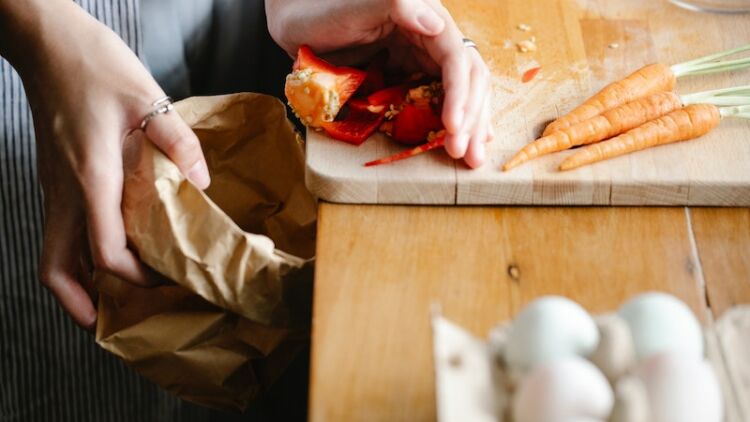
point(681, 388)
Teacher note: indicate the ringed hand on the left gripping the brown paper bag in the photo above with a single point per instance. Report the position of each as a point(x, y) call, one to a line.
point(87, 91)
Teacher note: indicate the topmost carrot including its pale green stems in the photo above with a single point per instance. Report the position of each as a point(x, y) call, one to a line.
point(645, 81)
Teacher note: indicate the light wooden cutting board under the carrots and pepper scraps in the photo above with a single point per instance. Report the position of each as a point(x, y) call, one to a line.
point(582, 45)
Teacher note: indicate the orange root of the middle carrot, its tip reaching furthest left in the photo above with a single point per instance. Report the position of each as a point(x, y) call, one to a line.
point(606, 125)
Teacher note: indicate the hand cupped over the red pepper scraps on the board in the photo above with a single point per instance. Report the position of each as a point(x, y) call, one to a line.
point(418, 32)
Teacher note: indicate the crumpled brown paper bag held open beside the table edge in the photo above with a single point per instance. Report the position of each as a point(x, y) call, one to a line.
point(239, 256)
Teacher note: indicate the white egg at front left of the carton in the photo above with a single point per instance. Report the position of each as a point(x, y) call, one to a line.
point(571, 389)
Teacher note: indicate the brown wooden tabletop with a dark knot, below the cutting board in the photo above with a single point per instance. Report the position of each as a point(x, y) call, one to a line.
point(380, 269)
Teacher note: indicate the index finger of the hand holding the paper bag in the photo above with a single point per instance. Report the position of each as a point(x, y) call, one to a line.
point(106, 229)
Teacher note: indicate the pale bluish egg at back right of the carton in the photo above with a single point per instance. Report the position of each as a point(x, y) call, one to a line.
point(661, 323)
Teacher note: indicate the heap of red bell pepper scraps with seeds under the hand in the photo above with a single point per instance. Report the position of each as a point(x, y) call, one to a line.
point(350, 104)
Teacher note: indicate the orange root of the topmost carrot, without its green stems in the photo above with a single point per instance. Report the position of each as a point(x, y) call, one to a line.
point(646, 80)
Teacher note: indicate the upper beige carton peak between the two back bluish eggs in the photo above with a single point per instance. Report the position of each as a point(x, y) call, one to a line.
point(615, 354)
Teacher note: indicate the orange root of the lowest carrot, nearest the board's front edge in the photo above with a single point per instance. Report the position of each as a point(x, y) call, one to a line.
point(680, 125)
